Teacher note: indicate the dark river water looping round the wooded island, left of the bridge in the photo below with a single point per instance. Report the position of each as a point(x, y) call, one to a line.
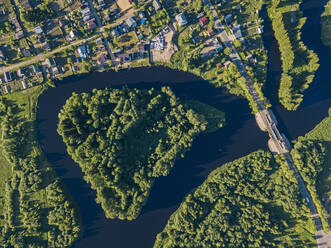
point(167, 193)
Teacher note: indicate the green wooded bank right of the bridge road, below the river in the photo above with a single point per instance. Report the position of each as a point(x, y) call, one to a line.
point(312, 156)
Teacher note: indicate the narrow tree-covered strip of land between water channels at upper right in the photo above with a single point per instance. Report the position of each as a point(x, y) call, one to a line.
point(299, 64)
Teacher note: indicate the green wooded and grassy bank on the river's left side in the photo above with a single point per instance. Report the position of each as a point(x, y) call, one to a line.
point(35, 210)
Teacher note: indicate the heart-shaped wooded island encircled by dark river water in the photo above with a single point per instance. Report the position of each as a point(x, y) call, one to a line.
point(123, 139)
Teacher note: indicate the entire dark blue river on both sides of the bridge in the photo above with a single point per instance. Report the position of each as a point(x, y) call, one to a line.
point(238, 138)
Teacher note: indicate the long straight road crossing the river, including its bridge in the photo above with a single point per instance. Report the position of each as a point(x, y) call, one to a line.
point(279, 140)
